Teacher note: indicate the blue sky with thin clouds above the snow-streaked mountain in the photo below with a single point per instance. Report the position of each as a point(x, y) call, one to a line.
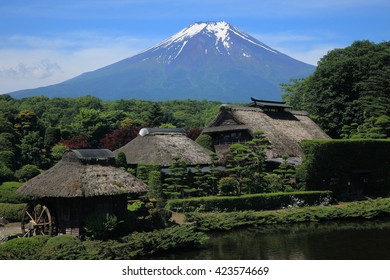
point(43, 42)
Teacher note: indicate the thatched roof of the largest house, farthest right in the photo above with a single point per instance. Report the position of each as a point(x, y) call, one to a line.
point(284, 129)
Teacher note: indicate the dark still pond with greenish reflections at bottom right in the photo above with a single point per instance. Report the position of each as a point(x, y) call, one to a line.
point(336, 240)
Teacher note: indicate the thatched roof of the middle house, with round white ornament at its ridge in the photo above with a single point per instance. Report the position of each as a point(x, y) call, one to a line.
point(158, 146)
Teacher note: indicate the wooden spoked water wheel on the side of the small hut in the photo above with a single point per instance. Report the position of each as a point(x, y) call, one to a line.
point(37, 220)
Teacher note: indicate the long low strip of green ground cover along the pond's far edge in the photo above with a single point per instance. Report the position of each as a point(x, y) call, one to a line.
point(222, 221)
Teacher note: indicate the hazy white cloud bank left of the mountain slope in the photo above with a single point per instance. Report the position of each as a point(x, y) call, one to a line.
point(31, 61)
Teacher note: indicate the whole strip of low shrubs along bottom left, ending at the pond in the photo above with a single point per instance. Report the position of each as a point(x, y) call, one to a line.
point(133, 246)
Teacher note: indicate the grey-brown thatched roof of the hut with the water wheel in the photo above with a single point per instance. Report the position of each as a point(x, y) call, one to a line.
point(83, 173)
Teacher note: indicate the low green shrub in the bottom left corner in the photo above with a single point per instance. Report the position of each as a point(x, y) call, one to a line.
point(23, 248)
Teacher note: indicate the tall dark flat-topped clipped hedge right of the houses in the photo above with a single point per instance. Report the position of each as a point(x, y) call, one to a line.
point(334, 164)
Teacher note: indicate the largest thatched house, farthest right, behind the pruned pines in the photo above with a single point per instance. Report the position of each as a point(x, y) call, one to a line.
point(283, 127)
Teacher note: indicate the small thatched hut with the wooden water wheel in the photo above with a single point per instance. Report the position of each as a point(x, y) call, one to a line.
point(82, 183)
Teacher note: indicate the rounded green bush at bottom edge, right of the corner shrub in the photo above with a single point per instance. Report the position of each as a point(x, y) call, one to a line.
point(62, 247)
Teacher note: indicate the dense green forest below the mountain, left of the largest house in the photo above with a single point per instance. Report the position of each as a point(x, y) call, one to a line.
point(37, 130)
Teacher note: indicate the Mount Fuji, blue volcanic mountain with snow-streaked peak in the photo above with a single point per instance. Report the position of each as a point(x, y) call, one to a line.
point(206, 60)
